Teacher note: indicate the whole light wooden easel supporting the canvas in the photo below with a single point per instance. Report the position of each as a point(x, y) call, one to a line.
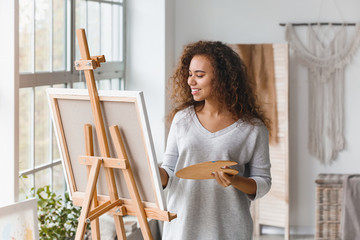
point(91, 211)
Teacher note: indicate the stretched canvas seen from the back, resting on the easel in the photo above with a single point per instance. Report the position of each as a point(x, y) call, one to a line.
point(71, 110)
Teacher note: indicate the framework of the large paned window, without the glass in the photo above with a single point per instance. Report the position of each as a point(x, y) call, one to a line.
point(109, 70)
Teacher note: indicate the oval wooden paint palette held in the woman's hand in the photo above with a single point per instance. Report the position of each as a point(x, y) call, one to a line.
point(204, 170)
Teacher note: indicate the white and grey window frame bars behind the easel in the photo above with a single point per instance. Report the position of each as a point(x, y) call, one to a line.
point(108, 70)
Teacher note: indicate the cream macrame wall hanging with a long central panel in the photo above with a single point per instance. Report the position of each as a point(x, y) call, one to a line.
point(326, 60)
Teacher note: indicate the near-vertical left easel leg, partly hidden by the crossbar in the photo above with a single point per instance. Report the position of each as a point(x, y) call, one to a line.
point(89, 151)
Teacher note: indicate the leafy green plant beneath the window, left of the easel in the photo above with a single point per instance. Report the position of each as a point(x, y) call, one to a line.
point(58, 218)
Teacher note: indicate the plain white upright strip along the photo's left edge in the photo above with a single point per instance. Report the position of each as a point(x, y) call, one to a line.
point(9, 96)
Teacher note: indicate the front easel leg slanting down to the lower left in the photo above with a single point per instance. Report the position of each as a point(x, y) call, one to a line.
point(90, 187)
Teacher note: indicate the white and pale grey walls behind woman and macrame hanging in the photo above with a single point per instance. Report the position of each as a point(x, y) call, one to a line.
point(239, 21)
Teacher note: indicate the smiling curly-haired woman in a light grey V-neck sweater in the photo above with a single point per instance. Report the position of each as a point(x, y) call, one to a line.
point(215, 117)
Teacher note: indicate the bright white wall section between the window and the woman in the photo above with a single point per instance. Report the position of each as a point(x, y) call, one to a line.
point(145, 61)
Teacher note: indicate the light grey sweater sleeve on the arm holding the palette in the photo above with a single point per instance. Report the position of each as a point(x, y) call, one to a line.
point(259, 165)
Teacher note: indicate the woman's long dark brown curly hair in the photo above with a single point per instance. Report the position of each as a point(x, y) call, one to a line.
point(231, 84)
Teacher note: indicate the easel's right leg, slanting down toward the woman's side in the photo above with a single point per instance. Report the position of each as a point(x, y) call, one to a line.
point(130, 182)
